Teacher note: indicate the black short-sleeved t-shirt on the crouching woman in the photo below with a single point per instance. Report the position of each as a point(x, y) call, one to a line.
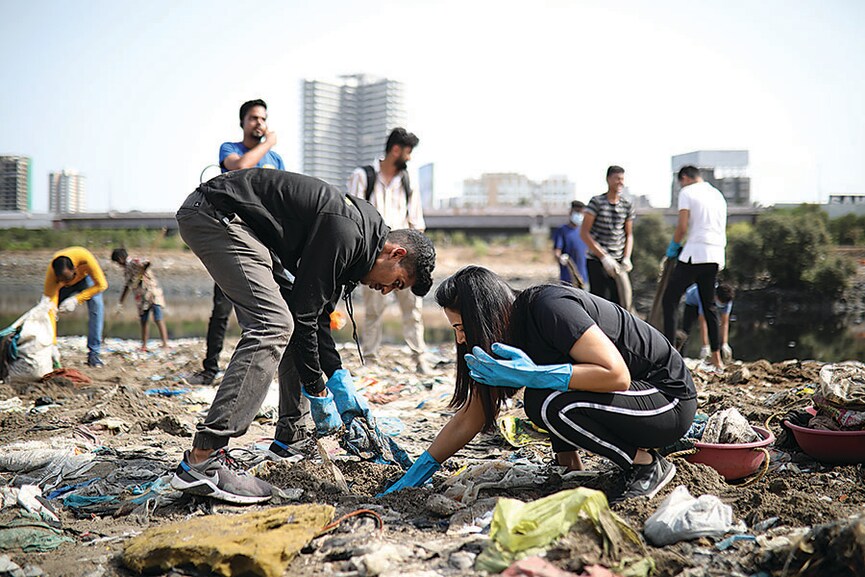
point(555, 317)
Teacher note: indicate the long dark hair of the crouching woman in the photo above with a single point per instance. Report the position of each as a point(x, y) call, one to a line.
point(484, 301)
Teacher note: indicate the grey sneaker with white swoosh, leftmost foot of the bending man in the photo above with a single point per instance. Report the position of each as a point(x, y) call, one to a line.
point(214, 478)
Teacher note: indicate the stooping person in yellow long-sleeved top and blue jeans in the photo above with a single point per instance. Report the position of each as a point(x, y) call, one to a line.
point(75, 277)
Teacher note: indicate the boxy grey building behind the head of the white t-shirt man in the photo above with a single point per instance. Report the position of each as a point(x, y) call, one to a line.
point(726, 170)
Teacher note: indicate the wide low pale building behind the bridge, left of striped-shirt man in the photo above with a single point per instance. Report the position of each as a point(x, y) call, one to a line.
point(513, 189)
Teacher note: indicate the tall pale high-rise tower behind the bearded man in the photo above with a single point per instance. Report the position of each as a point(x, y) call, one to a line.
point(346, 124)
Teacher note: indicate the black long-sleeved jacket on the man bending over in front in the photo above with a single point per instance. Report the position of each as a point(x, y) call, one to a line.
point(325, 238)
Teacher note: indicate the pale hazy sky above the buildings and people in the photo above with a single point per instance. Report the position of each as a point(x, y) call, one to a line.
point(139, 96)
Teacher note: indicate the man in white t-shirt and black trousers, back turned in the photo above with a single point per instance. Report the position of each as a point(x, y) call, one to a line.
point(703, 219)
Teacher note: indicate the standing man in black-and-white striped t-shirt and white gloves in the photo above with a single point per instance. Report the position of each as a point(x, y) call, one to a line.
point(608, 231)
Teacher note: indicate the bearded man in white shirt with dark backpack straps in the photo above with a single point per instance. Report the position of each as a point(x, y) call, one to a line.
point(385, 184)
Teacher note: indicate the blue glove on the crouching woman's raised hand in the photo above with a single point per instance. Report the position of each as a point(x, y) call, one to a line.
point(516, 370)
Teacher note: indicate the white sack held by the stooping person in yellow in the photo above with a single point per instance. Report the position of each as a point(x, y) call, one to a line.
point(34, 343)
